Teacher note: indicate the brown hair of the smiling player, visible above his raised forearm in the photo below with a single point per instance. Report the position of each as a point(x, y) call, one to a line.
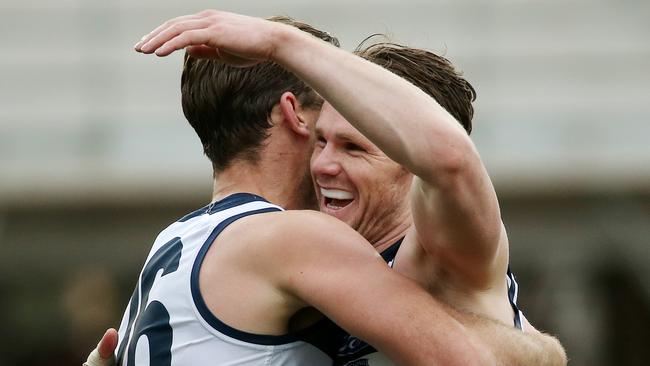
point(434, 74)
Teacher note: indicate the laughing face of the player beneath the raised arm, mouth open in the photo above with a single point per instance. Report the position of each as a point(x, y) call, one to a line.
point(354, 181)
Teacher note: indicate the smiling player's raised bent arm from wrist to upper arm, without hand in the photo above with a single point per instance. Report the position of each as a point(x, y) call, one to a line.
point(455, 209)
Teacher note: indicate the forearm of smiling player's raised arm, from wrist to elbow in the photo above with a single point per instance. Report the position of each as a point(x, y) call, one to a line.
point(402, 120)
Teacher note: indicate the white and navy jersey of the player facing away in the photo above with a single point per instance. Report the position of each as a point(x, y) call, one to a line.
point(168, 323)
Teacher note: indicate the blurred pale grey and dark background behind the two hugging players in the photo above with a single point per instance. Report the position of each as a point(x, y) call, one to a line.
point(96, 157)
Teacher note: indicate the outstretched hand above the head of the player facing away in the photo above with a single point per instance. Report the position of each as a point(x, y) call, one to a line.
point(236, 39)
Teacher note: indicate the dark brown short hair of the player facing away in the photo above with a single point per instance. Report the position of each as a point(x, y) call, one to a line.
point(230, 107)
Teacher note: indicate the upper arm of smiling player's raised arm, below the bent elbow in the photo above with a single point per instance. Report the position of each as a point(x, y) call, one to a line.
point(458, 222)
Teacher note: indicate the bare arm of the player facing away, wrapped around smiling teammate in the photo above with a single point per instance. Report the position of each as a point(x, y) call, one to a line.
point(342, 276)
